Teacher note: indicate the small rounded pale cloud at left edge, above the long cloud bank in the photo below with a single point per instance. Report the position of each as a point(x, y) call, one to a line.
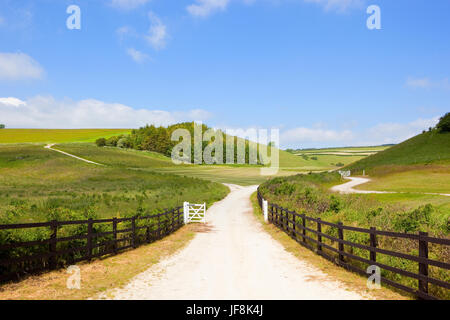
point(18, 66)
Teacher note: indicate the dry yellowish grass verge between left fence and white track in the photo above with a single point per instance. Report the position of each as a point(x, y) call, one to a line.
point(100, 275)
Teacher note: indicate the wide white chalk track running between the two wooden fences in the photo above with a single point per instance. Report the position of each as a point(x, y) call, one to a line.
point(233, 258)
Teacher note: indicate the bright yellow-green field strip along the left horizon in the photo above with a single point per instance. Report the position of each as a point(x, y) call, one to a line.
point(56, 135)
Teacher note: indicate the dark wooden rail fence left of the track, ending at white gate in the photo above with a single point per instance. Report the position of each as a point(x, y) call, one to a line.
point(92, 239)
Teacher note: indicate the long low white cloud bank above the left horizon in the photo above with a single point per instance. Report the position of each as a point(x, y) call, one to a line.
point(47, 112)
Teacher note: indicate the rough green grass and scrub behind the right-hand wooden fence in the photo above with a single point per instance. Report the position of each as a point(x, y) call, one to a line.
point(402, 212)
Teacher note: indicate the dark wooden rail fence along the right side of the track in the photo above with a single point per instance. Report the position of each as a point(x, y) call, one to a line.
point(295, 225)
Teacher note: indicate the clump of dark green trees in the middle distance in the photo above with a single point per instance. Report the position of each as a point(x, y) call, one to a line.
point(158, 139)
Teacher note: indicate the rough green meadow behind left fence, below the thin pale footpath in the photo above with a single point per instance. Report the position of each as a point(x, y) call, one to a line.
point(37, 184)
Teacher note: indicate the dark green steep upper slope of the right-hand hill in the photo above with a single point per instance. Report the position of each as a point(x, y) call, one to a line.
point(427, 148)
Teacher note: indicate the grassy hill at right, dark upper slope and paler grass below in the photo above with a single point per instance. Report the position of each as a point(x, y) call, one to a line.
point(420, 164)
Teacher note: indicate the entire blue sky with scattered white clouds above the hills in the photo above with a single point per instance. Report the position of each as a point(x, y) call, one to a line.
point(311, 68)
